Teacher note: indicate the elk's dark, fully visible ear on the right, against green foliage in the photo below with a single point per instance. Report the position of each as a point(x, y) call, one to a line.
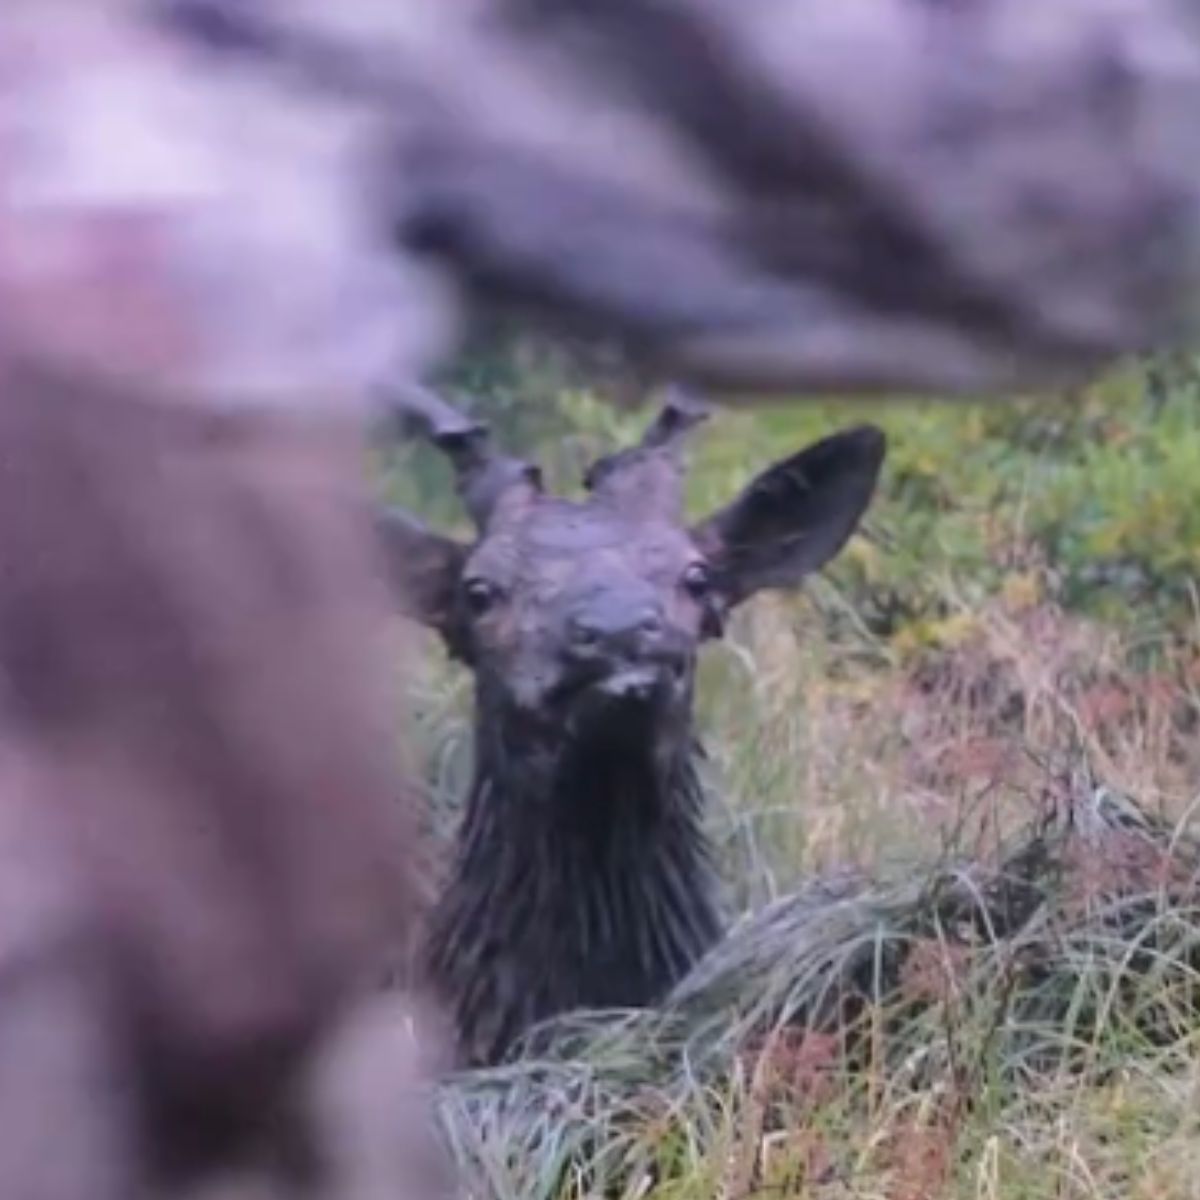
point(795, 517)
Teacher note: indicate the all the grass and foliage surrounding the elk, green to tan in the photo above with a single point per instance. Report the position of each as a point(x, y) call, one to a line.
point(955, 789)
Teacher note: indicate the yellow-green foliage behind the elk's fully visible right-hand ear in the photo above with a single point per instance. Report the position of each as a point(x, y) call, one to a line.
point(1102, 488)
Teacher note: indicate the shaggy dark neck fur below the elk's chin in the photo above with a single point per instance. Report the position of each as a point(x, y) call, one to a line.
point(583, 880)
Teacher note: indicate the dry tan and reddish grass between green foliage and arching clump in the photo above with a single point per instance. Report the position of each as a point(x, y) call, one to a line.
point(856, 751)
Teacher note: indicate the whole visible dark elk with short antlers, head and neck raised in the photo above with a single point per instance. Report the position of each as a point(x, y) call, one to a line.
point(583, 877)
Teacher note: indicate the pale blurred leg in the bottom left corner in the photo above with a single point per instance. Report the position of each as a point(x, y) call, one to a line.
point(67, 1125)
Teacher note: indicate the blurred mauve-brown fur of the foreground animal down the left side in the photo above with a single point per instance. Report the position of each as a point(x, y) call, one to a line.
point(206, 854)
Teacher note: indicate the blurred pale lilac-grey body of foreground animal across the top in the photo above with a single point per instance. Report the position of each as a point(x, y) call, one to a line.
point(887, 195)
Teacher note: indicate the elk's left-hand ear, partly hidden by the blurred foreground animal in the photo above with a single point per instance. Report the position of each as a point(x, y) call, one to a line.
point(424, 569)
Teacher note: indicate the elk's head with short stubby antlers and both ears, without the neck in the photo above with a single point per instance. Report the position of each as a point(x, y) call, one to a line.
point(580, 617)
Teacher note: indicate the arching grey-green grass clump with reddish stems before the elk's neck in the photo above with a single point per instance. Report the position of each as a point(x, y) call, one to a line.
point(862, 1009)
